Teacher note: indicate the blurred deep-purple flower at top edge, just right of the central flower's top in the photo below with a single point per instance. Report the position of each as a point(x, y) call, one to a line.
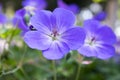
point(72, 7)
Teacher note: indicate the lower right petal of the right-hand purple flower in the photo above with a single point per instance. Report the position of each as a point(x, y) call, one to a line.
point(105, 51)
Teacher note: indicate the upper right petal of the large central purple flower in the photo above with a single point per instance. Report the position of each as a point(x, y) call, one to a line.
point(64, 19)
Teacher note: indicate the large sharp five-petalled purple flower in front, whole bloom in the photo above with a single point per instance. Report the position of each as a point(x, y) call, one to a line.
point(56, 34)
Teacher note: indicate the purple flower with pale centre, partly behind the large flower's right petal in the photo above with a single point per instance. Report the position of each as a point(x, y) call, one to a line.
point(99, 40)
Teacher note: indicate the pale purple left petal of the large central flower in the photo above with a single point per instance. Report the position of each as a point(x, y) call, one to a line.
point(37, 40)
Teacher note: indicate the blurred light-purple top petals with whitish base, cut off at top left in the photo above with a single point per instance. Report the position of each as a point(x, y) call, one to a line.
point(33, 5)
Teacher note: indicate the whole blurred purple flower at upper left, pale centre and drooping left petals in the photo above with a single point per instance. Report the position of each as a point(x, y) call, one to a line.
point(22, 16)
